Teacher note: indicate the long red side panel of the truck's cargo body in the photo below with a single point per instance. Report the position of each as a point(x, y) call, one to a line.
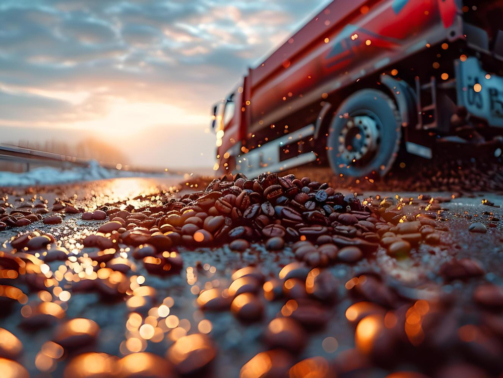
point(322, 67)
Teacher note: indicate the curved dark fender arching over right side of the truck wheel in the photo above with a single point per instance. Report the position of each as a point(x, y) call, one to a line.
point(405, 98)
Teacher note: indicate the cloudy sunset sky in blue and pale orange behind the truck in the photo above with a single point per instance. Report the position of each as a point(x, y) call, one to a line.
point(139, 74)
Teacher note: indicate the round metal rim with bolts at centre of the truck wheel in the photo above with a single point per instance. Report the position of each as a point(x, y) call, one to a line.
point(359, 139)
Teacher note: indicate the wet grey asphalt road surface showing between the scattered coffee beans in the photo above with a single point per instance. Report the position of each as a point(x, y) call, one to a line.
point(414, 277)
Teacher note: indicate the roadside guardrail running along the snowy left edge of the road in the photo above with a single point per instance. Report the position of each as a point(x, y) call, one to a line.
point(31, 157)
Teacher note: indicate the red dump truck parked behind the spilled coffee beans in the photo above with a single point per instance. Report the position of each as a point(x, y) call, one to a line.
point(364, 80)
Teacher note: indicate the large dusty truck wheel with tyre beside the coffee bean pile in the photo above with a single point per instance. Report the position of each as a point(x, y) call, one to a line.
point(364, 135)
